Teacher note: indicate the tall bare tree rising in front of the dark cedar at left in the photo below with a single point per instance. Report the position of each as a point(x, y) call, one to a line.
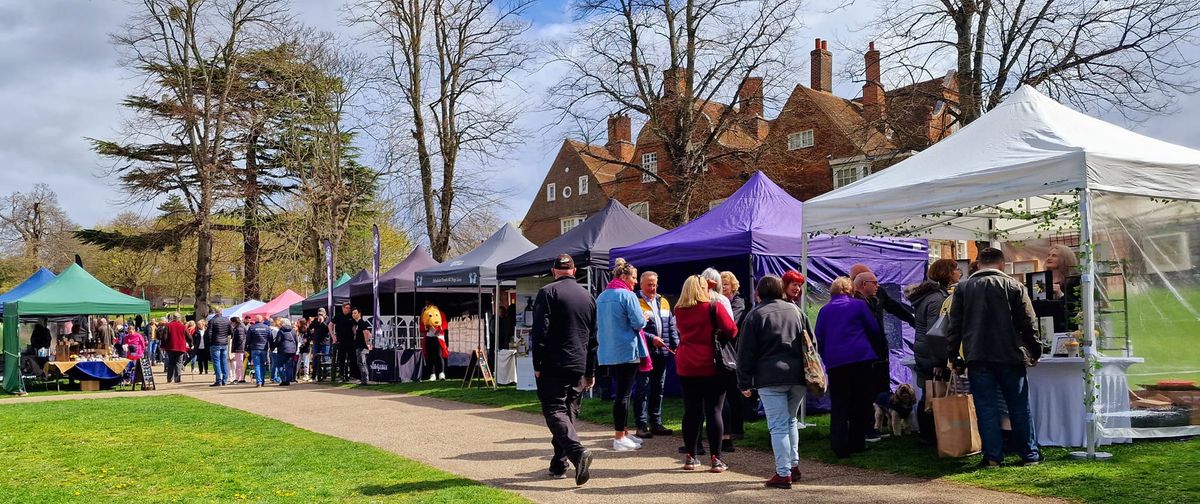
point(183, 141)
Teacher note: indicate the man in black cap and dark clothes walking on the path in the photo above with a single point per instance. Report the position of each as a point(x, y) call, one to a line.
point(565, 361)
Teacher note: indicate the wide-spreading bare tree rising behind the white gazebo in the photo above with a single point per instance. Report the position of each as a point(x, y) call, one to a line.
point(1132, 56)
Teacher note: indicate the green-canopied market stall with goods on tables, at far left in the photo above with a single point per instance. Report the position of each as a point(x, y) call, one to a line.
point(69, 299)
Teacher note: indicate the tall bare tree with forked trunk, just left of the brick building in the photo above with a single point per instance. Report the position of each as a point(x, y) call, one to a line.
point(446, 64)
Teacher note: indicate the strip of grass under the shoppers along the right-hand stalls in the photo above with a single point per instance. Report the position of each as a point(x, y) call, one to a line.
point(1148, 471)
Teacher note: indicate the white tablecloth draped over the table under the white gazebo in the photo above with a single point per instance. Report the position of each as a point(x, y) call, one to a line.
point(1057, 399)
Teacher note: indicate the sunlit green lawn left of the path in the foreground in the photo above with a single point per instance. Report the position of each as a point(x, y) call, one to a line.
point(179, 449)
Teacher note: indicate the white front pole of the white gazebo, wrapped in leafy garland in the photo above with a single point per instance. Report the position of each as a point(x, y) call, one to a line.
point(1088, 286)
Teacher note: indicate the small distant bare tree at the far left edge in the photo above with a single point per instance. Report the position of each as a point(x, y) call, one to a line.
point(34, 226)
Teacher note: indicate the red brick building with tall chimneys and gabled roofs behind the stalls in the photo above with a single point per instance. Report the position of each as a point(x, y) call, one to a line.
point(819, 142)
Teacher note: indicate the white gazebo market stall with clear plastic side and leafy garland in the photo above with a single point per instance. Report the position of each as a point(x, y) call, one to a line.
point(1035, 169)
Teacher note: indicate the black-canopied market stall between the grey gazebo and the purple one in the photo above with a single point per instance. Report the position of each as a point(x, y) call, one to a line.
point(589, 244)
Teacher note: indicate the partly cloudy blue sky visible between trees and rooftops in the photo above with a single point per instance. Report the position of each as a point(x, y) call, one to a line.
point(61, 83)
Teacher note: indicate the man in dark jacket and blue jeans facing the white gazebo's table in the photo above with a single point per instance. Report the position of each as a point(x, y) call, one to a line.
point(992, 322)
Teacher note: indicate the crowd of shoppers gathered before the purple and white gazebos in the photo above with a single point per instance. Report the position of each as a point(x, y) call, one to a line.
point(731, 361)
